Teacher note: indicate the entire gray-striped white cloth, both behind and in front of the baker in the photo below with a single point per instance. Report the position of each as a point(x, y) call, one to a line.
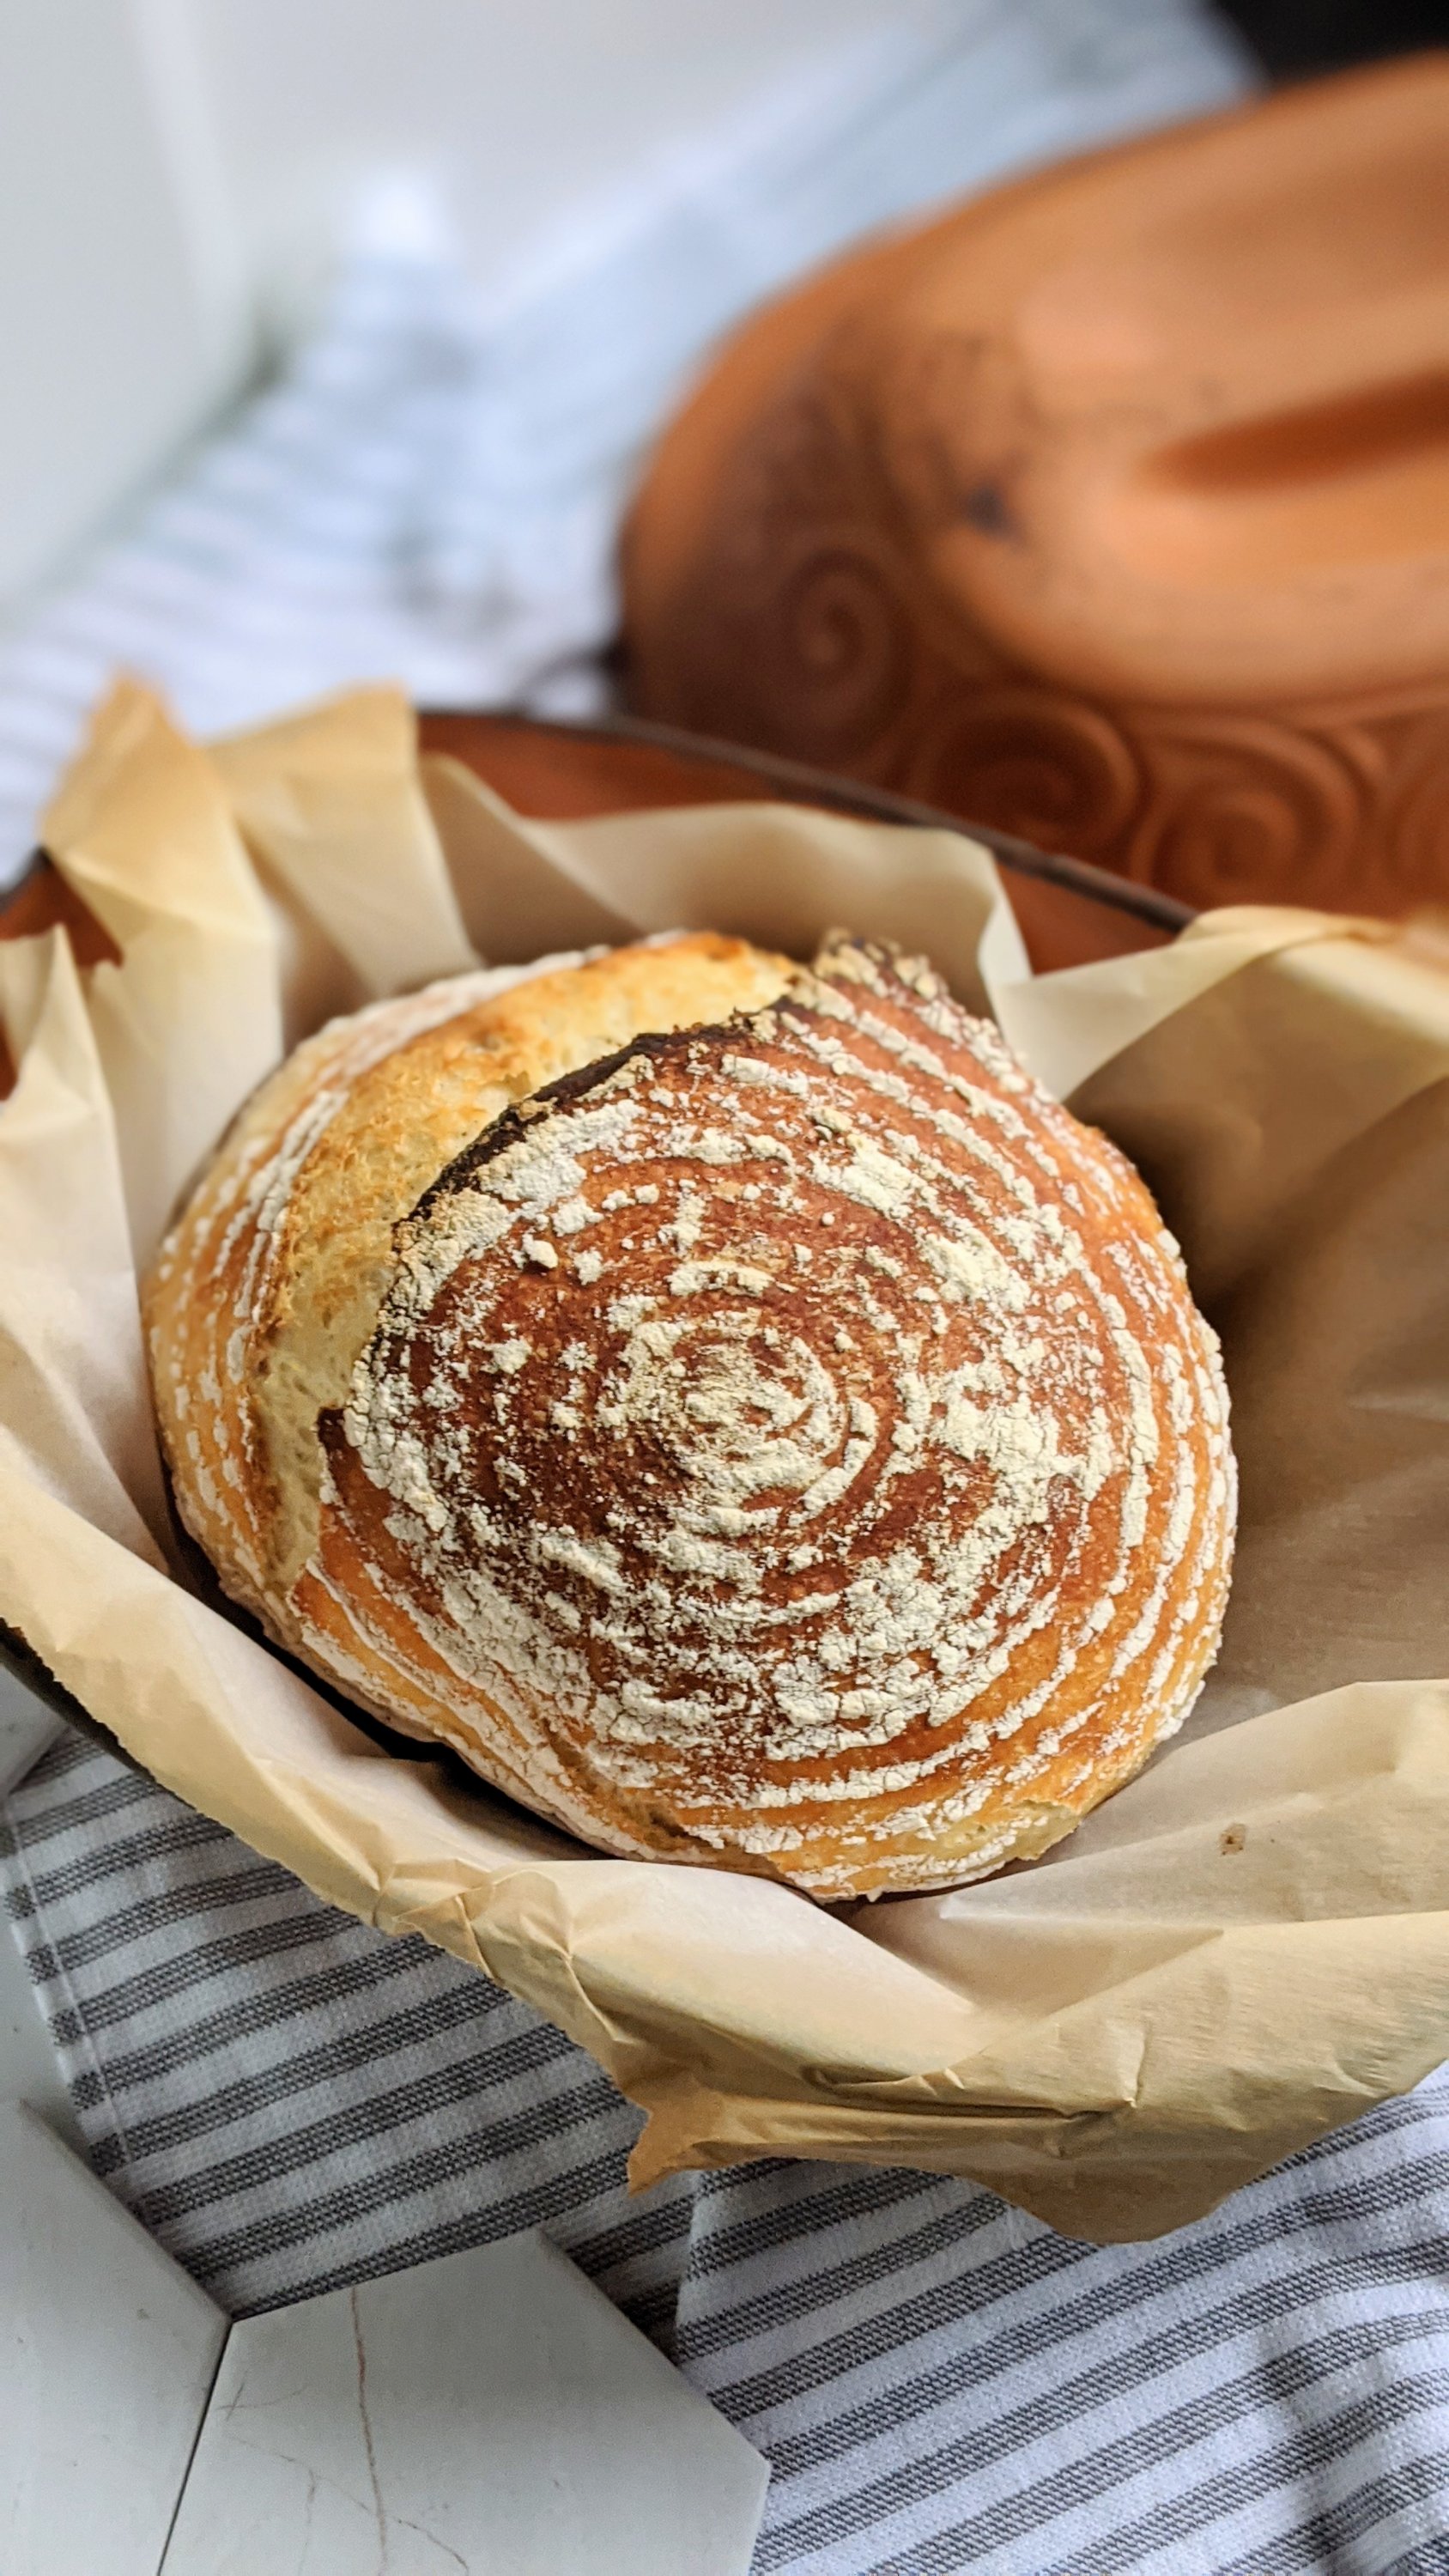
point(292, 2101)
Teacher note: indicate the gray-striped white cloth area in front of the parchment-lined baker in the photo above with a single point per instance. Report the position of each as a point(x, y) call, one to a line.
point(292, 2101)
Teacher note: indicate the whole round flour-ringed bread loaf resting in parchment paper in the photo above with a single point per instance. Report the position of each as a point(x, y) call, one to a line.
point(727, 1403)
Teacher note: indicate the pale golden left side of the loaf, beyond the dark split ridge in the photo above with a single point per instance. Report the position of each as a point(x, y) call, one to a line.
point(269, 1287)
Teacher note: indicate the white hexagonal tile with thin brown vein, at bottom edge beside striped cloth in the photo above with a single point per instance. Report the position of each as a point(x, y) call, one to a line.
point(488, 2412)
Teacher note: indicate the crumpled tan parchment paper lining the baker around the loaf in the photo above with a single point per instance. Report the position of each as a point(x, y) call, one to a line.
point(1239, 1951)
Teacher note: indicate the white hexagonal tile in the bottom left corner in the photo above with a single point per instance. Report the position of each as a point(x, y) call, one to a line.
point(107, 2361)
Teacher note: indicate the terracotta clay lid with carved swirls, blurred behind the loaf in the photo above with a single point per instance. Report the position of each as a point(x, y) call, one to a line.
point(1111, 509)
